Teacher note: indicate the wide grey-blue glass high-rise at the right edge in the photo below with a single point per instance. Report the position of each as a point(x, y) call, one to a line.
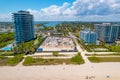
point(107, 32)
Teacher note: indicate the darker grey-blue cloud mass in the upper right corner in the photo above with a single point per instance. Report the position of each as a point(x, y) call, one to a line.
point(96, 7)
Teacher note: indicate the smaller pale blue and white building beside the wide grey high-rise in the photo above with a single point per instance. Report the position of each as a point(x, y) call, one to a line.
point(88, 36)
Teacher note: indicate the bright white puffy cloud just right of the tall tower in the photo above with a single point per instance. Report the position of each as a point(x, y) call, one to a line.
point(53, 12)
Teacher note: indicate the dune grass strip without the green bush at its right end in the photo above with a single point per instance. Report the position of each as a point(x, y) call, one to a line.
point(40, 61)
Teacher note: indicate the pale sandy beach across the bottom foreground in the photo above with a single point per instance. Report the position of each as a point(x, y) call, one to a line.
point(92, 71)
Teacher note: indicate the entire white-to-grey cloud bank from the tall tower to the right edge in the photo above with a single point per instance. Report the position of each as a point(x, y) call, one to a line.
point(80, 10)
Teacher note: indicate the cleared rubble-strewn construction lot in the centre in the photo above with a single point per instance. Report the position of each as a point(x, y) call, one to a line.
point(55, 43)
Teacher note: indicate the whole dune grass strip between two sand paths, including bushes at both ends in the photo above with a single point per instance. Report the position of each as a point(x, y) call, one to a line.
point(40, 61)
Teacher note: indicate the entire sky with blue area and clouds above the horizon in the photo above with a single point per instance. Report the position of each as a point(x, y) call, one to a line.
point(63, 10)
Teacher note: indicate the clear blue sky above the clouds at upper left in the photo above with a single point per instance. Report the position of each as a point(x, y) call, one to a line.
point(7, 6)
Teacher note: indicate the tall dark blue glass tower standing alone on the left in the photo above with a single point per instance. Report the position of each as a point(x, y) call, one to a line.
point(23, 23)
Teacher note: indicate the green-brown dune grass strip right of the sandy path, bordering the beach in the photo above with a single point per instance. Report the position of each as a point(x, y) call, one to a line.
point(104, 59)
